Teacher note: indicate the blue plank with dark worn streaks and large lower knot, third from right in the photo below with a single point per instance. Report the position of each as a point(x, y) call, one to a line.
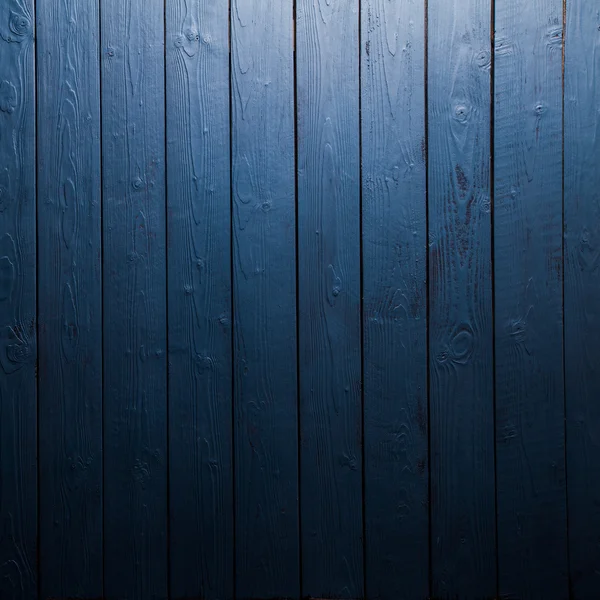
point(461, 335)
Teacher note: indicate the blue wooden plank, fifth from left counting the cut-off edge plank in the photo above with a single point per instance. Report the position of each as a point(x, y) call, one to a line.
point(264, 267)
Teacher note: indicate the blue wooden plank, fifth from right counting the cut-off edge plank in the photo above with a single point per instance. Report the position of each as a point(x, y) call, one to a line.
point(329, 297)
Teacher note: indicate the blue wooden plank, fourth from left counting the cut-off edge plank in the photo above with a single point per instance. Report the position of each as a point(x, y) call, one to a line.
point(201, 477)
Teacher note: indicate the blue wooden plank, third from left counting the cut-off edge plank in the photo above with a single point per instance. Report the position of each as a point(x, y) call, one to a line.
point(135, 408)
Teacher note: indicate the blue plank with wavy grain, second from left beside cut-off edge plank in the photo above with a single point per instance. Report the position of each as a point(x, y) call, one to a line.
point(70, 302)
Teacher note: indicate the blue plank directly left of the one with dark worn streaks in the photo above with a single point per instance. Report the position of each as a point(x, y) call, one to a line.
point(395, 299)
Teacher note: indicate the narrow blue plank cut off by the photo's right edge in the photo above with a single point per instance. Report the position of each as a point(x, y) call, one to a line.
point(582, 291)
